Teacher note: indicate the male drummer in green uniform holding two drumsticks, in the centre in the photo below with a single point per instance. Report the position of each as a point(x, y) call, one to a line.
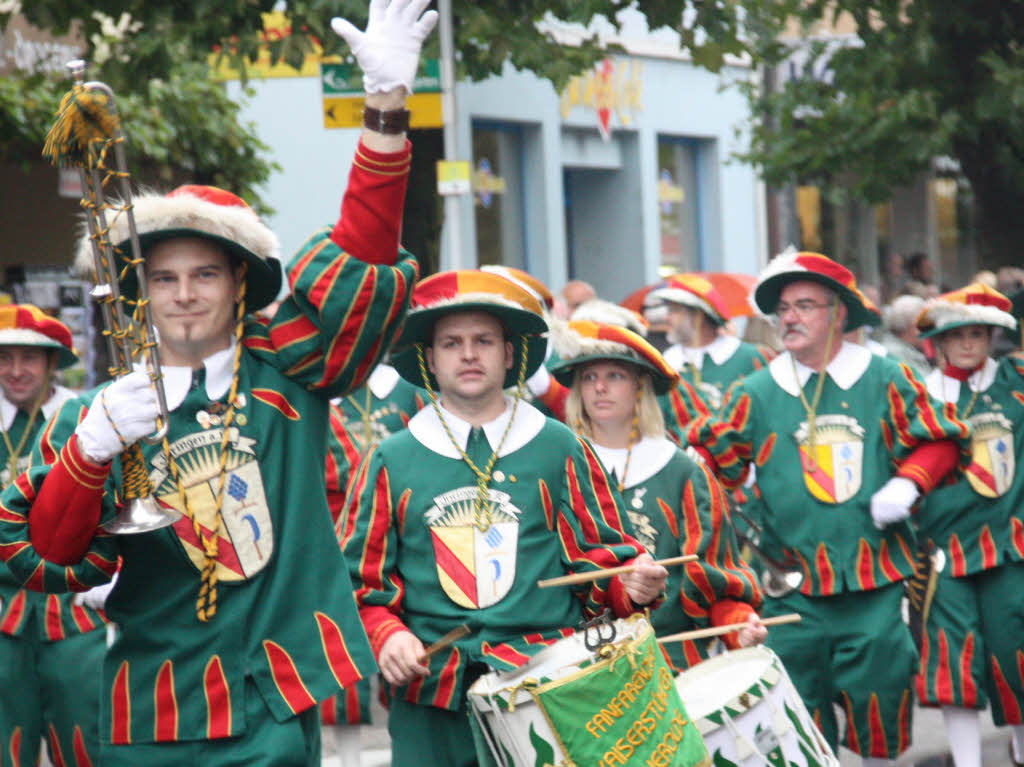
point(453, 521)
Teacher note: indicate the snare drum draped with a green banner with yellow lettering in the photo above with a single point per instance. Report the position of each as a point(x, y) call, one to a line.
point(524, 728)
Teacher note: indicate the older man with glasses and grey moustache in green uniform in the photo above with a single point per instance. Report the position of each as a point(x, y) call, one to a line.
point(845, 443)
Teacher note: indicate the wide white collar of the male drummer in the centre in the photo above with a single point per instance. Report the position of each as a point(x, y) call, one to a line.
point(430, 432)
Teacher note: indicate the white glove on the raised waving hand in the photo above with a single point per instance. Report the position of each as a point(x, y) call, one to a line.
point(389, 52)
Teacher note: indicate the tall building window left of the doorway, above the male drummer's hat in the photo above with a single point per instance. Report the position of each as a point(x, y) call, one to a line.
point(498, 184)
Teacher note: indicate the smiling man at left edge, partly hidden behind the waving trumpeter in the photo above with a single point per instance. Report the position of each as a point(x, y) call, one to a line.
point(52, 647)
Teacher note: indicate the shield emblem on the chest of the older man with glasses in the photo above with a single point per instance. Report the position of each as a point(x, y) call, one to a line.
point(833, 461)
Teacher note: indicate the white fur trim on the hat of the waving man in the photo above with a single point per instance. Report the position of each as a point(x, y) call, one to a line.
point(155, 212)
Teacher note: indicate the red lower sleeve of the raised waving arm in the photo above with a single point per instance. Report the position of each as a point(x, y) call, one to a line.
point(371, 211)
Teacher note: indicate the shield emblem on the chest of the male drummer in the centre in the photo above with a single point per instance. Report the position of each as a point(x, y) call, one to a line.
point(476, 563)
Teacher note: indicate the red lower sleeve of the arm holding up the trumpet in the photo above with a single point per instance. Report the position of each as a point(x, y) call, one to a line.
point(66, 513)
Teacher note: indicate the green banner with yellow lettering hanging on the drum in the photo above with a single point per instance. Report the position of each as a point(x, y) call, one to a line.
point(623, 711)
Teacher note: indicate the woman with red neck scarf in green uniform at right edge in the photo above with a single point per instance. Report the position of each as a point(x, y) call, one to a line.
point(972, 635)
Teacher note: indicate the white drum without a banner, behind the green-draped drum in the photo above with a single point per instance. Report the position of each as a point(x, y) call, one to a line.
point(750, 714)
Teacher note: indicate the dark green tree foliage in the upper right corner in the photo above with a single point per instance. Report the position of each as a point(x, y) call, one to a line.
point(923, 80)
